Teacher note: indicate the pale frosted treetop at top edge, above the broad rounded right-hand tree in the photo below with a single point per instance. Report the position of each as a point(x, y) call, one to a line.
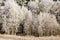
point(45, 5)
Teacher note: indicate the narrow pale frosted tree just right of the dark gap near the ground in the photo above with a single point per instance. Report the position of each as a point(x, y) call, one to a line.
point(27, 23)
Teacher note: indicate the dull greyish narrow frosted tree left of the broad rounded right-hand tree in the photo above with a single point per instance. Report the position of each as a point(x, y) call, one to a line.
point(35, 24)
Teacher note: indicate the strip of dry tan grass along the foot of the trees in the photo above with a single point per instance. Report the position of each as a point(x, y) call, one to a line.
point(12, 37)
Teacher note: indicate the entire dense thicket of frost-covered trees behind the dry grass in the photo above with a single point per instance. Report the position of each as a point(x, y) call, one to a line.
point(30, 17)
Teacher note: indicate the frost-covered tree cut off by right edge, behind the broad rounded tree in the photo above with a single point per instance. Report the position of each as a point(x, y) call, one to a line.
point(55, 9)
